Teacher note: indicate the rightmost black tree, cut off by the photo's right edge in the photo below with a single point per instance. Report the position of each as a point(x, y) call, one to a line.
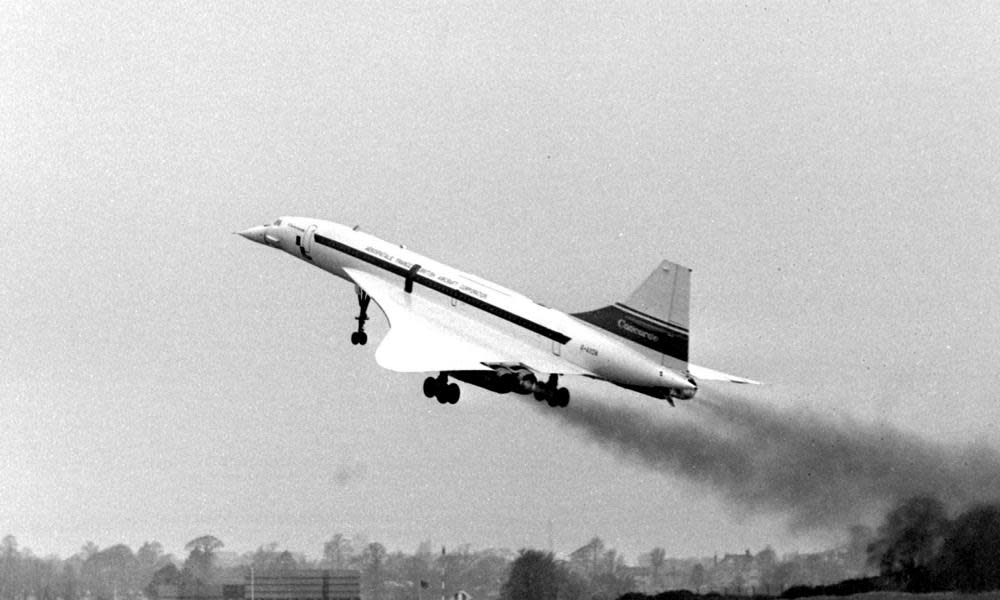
point(970, 555)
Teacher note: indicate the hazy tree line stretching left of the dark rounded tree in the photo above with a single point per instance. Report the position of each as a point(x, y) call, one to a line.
point(119, 573)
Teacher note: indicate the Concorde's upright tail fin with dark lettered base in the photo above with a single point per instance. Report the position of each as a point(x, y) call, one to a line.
point(655, 316)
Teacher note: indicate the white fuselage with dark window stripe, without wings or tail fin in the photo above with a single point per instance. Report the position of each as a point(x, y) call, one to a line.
point(334, 248)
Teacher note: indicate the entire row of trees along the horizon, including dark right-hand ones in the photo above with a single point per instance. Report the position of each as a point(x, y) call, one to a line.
point(917, 548)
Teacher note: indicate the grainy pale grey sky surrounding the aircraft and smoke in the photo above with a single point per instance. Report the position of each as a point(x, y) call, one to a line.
point(830, 172)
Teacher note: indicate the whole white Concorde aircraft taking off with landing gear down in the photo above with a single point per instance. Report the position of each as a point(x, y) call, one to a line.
point(462, 327)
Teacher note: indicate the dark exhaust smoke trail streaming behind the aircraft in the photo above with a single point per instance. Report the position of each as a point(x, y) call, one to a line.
point(821, 473)
